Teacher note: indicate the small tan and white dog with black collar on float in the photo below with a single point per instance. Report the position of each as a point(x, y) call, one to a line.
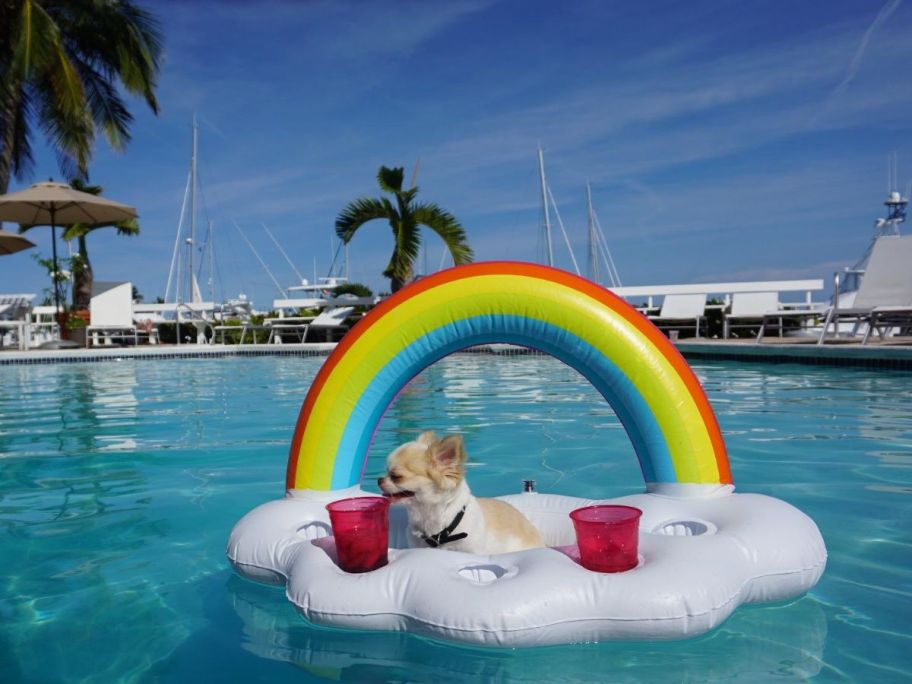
point(428, 476)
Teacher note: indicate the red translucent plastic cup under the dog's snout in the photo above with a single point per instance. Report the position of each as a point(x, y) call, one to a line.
point(361, 529)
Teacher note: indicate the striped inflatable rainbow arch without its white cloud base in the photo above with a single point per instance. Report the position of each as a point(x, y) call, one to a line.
point(653, 390)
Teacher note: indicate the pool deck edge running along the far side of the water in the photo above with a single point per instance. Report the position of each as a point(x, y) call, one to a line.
point(895, 353)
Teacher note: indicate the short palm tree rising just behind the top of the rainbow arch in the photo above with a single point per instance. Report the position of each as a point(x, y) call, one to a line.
point(404, 219)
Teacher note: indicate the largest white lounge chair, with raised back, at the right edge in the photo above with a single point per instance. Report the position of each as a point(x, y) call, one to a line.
point(884, 298)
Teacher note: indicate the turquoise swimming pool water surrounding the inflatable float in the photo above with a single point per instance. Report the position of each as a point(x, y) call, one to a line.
point(119, 484)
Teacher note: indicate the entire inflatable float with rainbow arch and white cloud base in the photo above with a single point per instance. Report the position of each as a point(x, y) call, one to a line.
point(704, 549)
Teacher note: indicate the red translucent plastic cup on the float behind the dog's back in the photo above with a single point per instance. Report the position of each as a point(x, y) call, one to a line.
point(607, 536)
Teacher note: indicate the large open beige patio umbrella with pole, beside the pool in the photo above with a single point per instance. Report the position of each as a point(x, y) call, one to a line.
point(57, 204)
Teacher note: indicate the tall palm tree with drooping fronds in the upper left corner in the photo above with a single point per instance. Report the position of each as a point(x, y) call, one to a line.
point(62, 63)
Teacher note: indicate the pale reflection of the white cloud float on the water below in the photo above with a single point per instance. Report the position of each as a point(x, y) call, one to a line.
point(756, 644)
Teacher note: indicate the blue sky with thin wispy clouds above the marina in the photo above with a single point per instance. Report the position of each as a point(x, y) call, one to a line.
point(723, 140)
